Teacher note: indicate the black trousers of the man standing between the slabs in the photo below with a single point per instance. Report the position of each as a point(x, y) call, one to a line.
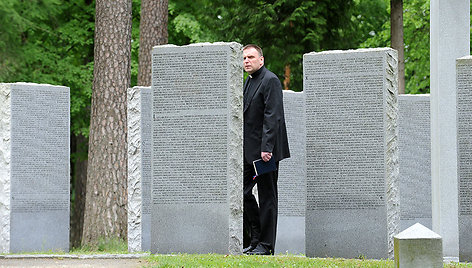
point(260, 221)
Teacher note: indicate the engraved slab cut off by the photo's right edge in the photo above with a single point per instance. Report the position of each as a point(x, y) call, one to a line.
point(464, 155)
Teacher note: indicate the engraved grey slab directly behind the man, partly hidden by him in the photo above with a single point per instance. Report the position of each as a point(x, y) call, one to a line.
point(292, 181)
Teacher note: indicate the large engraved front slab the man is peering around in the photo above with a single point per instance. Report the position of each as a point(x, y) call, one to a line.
point(197, 149)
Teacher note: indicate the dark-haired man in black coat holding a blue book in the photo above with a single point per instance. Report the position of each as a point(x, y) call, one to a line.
point(265, 136)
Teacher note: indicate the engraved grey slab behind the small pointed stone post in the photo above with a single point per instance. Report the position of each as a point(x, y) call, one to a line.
point(414, 145)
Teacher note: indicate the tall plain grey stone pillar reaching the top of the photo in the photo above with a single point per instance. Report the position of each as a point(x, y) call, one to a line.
point(449, 40)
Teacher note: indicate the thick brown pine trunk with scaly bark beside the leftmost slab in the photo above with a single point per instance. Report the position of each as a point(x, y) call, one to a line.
point(106, 197)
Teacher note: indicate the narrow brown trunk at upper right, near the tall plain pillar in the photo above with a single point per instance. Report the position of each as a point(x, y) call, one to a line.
point(396, 31)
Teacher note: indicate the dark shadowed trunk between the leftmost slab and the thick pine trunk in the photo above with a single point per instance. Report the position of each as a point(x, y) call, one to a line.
point(80, 181)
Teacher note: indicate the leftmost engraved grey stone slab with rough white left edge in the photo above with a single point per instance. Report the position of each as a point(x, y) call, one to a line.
point(34, 167)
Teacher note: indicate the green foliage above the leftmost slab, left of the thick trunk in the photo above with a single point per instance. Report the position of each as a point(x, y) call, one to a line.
point(50, 41)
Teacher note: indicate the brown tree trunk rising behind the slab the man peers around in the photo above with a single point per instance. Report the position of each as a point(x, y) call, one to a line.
point(152, 32)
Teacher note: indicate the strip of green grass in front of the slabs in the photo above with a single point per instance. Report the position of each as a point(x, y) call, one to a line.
point(215, 260)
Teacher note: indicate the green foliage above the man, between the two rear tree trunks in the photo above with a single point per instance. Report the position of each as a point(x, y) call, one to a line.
point(285, 29)
